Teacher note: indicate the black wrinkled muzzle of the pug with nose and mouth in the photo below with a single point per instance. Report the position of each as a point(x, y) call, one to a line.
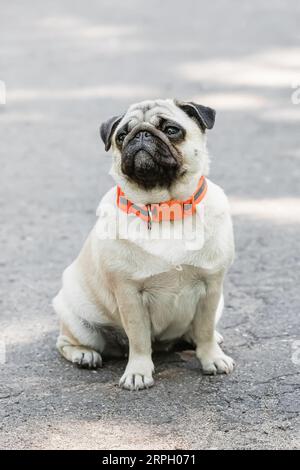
point(149, 160)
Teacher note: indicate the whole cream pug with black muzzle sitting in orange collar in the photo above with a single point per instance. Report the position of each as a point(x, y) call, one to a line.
point(127, 294)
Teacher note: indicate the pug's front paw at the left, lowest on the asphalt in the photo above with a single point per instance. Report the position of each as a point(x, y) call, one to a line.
point(138, 374)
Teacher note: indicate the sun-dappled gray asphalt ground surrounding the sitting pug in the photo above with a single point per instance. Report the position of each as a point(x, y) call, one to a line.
point(67, 66)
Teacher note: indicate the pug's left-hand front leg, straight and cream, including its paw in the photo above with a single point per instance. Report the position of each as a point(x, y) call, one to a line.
point(136, 323)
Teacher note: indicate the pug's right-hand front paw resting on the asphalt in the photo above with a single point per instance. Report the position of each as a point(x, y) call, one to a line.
point(214, 361)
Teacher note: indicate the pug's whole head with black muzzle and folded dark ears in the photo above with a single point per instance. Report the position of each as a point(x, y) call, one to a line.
point(155, 143)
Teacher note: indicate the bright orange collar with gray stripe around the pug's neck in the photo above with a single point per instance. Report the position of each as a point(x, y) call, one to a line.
point(168, 210)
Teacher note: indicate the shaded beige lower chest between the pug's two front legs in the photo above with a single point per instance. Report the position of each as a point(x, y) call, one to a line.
point(171, 299)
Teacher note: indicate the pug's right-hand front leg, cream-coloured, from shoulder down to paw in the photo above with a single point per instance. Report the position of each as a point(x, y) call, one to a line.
point(208, 351)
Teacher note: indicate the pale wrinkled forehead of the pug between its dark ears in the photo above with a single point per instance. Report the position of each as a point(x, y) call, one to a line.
point(150, 112)
